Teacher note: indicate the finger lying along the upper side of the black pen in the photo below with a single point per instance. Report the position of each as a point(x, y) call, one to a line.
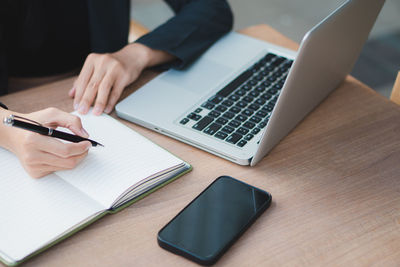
point(57, 118)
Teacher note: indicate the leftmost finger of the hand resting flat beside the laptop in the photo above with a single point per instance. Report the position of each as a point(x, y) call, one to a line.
point(83, 79)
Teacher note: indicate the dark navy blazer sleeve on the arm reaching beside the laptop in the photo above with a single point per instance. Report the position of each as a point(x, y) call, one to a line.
point(196, 26)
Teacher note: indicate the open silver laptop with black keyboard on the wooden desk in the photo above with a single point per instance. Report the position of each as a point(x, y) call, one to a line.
point(243, 95)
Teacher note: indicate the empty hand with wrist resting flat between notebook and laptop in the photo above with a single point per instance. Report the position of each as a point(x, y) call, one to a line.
point(104, 76)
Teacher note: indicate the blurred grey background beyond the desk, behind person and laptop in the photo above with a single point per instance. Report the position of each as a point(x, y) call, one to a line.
point(379, 61)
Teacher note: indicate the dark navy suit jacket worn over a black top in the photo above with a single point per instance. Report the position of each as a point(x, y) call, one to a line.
point(196, 25)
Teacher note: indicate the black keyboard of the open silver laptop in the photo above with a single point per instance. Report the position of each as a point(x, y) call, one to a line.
point(240, 110)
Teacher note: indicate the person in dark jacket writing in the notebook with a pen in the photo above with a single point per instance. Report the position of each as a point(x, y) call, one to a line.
point(49, 37)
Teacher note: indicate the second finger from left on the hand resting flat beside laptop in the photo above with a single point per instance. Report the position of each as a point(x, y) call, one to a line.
point(91, 90)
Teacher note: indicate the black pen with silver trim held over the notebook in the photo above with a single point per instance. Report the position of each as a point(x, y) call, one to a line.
point(40, 129)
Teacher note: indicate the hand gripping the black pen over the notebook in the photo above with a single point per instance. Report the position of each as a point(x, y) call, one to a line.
point(41, 155)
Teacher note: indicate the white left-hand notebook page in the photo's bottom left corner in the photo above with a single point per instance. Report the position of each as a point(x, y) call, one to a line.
point(33, 212)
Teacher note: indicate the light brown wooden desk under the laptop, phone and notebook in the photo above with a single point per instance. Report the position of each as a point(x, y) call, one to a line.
point(334, 181)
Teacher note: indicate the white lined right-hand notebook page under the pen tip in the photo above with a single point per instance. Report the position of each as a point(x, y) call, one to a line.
point(126, 159)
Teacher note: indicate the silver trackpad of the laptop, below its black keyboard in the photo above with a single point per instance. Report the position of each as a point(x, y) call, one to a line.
point(200, 77)
